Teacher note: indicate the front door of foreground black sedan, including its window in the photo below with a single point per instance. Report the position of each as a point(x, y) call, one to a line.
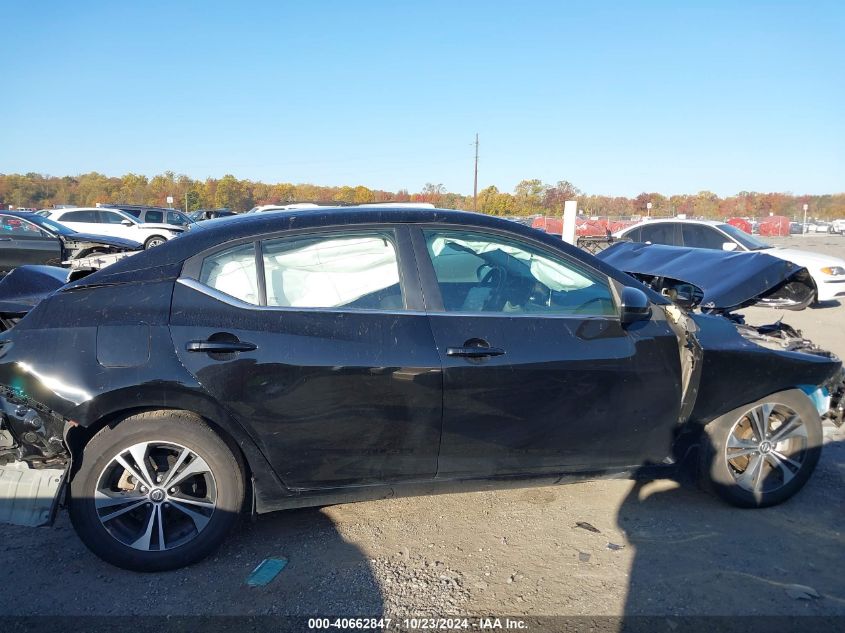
point(539, 374)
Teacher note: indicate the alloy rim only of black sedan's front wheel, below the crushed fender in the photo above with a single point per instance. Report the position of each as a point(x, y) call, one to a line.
point(766, 448)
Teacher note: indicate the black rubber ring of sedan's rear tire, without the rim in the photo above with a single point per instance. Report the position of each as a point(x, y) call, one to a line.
point(111, 441)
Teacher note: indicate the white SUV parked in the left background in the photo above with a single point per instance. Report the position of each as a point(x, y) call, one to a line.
point(104, 221)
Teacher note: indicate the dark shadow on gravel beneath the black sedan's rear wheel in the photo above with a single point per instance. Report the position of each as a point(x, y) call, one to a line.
point(325, 575)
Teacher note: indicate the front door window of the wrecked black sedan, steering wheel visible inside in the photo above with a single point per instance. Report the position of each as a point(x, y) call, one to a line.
point(477, 272)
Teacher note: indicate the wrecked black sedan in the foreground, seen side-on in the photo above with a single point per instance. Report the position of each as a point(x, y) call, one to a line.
point(310, 357)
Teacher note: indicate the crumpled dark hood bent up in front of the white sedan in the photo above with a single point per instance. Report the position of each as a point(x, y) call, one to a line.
point(728, 280)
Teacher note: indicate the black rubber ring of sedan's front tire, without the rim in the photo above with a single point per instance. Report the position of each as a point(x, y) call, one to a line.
point(716, 472)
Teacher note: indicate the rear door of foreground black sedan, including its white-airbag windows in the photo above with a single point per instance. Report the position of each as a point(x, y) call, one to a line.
point(318, 345)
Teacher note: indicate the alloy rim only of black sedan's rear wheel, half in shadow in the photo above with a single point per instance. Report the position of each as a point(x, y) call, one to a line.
point(155, 496)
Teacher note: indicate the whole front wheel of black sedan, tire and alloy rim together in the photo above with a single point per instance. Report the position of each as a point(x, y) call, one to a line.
point(748, 472)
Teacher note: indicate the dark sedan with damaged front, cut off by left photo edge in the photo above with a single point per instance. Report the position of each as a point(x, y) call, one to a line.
point(29, 238)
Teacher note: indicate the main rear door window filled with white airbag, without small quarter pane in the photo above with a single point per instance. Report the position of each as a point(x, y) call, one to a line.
point(353, 270)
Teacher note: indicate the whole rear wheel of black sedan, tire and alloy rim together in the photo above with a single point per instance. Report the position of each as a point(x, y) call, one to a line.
point(122, 520)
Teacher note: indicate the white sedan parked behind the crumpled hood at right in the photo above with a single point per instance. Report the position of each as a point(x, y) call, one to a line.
point(828, 272)
